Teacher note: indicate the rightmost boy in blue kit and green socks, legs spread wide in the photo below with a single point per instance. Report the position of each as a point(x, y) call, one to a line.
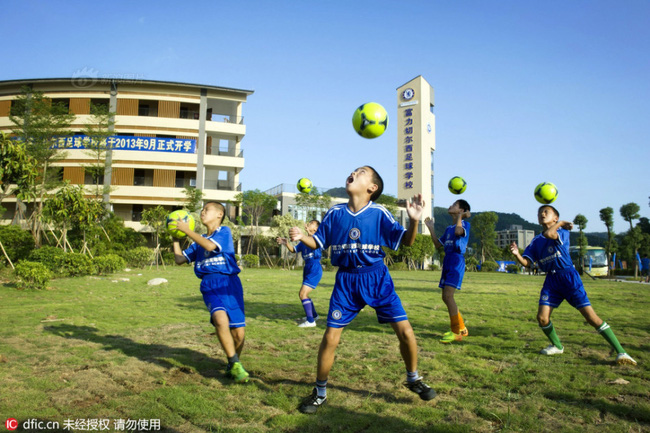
point(551, 251)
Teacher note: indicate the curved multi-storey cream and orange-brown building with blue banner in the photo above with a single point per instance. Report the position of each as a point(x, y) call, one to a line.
point(167, 136)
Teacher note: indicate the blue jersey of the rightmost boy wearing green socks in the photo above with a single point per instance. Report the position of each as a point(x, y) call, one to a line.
point(550, 254)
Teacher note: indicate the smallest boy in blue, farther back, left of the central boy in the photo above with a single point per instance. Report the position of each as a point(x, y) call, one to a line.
point(311, 273)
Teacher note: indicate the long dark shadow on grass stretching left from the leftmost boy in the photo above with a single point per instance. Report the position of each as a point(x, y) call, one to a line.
point(165, 356)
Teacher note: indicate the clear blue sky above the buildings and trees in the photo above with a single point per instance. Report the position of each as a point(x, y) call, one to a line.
point(525, 92)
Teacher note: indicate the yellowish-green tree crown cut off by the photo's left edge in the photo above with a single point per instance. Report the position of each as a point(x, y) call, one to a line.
point(17, 167)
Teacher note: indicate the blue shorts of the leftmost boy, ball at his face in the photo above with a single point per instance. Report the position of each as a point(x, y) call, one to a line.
point(224, 292)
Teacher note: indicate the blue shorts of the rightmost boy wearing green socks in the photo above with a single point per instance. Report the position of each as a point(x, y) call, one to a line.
point(561, 285)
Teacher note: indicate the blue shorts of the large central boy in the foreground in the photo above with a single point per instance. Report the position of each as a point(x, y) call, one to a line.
point(356, 288)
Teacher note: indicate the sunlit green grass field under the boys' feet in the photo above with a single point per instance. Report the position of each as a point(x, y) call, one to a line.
point(91, 349)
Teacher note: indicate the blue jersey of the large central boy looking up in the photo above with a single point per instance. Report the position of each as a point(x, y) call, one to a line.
point(356, 238)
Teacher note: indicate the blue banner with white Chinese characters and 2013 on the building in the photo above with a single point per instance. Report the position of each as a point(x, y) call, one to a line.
point(117, 142)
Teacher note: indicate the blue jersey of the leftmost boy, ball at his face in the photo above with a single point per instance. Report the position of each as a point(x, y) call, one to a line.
point(221, 260)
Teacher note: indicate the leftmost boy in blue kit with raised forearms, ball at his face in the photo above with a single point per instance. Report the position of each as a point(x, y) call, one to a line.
point(213, 255)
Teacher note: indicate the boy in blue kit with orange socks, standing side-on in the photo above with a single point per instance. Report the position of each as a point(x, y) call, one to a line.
point(454, 242)
